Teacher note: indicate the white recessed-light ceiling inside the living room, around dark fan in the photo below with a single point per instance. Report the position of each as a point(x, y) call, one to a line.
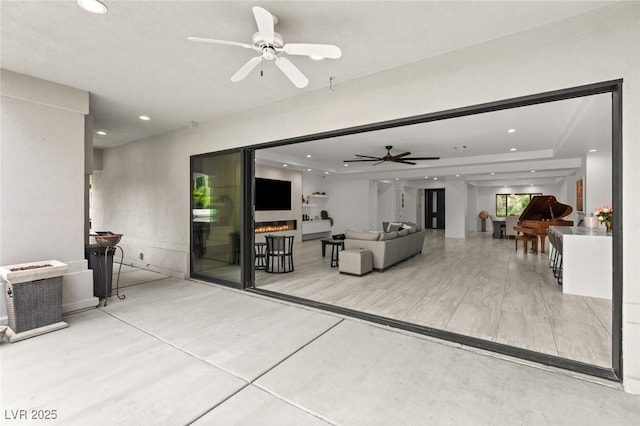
point(550, 138)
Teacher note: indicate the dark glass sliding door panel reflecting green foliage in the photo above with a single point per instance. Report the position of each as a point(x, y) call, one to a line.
point(216, 196)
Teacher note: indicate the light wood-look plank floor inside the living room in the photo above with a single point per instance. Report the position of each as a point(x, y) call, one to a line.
point(478, 286)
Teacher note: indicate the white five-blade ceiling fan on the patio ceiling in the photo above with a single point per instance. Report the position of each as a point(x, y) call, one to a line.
point(270, 45)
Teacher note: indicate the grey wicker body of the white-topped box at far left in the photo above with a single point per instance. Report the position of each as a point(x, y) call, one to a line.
point(34, 304)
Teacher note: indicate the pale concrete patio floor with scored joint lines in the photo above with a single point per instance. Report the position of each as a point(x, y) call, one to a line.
point(179, 352)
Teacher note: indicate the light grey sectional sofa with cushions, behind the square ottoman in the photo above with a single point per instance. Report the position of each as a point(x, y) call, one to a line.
point(388, 248)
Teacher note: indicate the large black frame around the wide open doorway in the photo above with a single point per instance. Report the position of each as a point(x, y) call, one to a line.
point(615, 88)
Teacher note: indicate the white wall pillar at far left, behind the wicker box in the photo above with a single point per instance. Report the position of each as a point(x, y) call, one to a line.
point(42, 181)
